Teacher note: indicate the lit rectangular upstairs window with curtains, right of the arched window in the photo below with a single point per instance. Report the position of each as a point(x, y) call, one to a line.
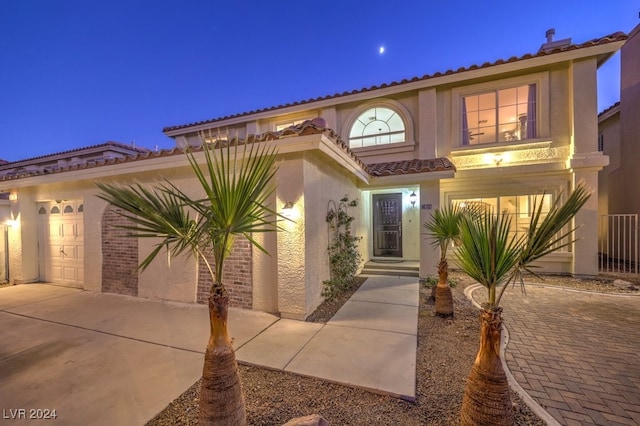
point(503, 115)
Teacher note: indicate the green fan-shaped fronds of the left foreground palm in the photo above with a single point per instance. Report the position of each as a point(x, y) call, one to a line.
point(236, 184)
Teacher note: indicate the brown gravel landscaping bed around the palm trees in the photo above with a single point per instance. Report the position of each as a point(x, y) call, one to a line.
point(446, 350)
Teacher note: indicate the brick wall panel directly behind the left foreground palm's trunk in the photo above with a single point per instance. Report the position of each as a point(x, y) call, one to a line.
point(237, 276)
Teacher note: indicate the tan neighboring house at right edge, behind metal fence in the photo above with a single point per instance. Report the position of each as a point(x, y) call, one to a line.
point(619, 138)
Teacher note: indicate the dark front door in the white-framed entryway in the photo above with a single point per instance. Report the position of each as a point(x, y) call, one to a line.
point(387, 225)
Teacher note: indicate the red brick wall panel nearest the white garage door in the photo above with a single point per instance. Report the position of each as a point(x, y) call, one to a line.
point(119, 255)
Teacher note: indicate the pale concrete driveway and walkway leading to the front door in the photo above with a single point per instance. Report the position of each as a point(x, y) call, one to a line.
point(105, 359)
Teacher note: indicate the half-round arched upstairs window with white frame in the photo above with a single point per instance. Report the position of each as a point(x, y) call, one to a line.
point(377, 126)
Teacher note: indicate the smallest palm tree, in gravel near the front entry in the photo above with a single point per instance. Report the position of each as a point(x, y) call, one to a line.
point(444, 228)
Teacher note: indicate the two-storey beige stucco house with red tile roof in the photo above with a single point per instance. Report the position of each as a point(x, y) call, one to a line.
point(500, 133)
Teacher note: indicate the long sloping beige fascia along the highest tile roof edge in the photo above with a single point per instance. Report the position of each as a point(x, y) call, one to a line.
point(455, 77)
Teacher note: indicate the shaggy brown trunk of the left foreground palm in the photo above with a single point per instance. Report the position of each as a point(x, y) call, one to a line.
point(221, 401)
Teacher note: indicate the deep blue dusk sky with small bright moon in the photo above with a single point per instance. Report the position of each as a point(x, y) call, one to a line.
point(80, 73)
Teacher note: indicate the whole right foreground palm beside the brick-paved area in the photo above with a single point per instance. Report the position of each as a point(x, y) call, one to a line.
point(494, 257)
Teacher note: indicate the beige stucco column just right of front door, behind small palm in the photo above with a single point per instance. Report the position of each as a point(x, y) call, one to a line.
point(429, 201)
